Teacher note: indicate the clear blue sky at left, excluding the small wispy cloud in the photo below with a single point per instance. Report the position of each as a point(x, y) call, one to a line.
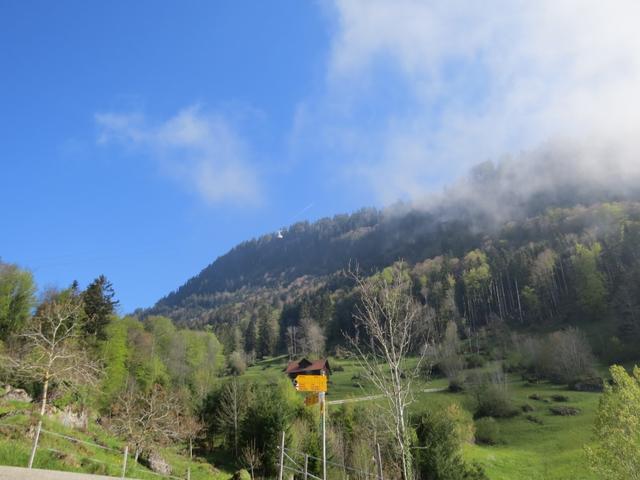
point(75, 208)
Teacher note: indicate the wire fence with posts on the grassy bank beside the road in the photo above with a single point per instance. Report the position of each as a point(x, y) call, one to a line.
point(121, 467)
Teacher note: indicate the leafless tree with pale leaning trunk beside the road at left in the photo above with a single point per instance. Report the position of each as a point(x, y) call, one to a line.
point(51, 350)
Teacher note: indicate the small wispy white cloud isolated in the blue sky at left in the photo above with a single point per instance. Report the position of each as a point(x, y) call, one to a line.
point(202, 152)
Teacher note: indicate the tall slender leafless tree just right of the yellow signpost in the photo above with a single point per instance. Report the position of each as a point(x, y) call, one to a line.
point(394, 326)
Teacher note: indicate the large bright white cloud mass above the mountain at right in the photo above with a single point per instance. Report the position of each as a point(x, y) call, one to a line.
point(455, 83)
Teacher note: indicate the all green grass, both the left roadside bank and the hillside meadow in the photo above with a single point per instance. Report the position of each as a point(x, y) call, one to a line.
point(553, 450)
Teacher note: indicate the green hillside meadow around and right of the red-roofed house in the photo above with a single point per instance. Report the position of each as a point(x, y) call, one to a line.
point(551, 451)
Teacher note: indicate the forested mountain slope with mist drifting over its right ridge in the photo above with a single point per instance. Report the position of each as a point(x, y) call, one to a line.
point(489, 248)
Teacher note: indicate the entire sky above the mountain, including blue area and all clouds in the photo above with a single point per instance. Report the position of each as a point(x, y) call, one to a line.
point(143, 139)
